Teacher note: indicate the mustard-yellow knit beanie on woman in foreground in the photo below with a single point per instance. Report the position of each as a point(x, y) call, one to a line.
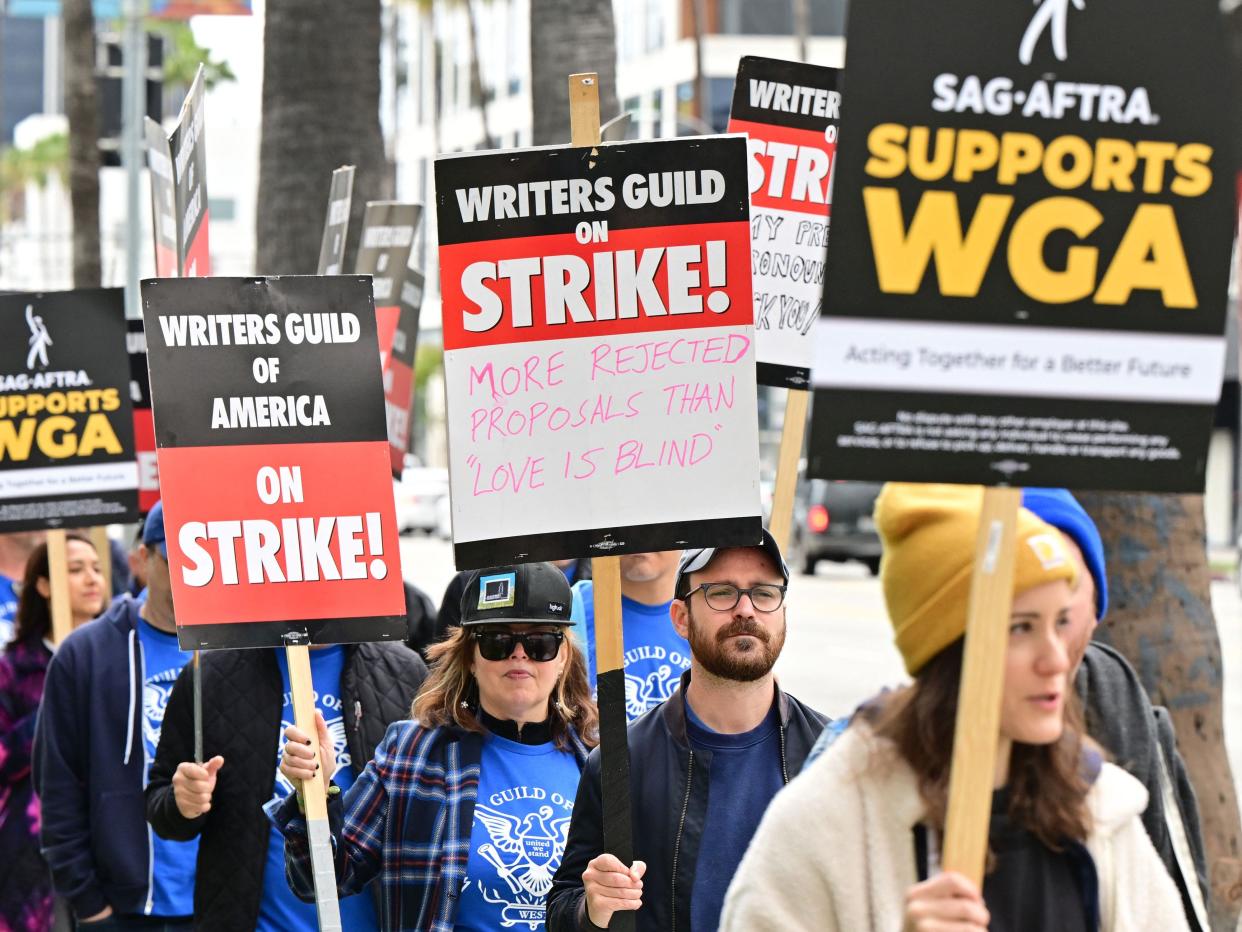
point(930, 534)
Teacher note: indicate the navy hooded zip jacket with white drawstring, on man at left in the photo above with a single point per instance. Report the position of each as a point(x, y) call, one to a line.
point(90, 767)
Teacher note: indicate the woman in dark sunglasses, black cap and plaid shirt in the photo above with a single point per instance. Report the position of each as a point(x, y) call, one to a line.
point(465, 811)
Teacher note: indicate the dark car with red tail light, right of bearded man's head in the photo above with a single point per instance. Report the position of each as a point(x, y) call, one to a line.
point(833, 521)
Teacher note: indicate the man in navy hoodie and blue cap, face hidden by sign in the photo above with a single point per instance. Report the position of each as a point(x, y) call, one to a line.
point(99, 728)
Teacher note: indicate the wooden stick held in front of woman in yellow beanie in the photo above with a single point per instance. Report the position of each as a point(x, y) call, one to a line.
point(983, 679)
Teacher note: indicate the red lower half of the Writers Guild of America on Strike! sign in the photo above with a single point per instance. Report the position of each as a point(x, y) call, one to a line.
point(220, 484)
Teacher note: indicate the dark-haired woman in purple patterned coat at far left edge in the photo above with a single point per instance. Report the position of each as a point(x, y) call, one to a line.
point(27, 889)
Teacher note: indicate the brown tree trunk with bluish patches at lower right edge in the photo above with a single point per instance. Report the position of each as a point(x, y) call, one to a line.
point(1161, 618)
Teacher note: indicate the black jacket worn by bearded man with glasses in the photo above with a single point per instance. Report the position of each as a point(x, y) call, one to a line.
point(669, 788)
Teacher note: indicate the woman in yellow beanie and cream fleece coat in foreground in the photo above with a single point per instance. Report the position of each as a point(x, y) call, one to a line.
point(853, 844)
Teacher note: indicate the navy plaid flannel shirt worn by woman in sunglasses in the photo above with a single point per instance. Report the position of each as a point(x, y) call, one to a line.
point(407, 820)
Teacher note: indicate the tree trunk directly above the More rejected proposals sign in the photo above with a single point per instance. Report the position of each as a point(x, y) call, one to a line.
point(569, 38)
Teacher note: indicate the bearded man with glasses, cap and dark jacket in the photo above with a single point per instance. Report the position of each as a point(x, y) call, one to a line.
point(705, 765)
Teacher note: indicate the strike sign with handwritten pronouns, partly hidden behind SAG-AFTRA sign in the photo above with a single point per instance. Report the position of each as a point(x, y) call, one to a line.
point(791, 112)
